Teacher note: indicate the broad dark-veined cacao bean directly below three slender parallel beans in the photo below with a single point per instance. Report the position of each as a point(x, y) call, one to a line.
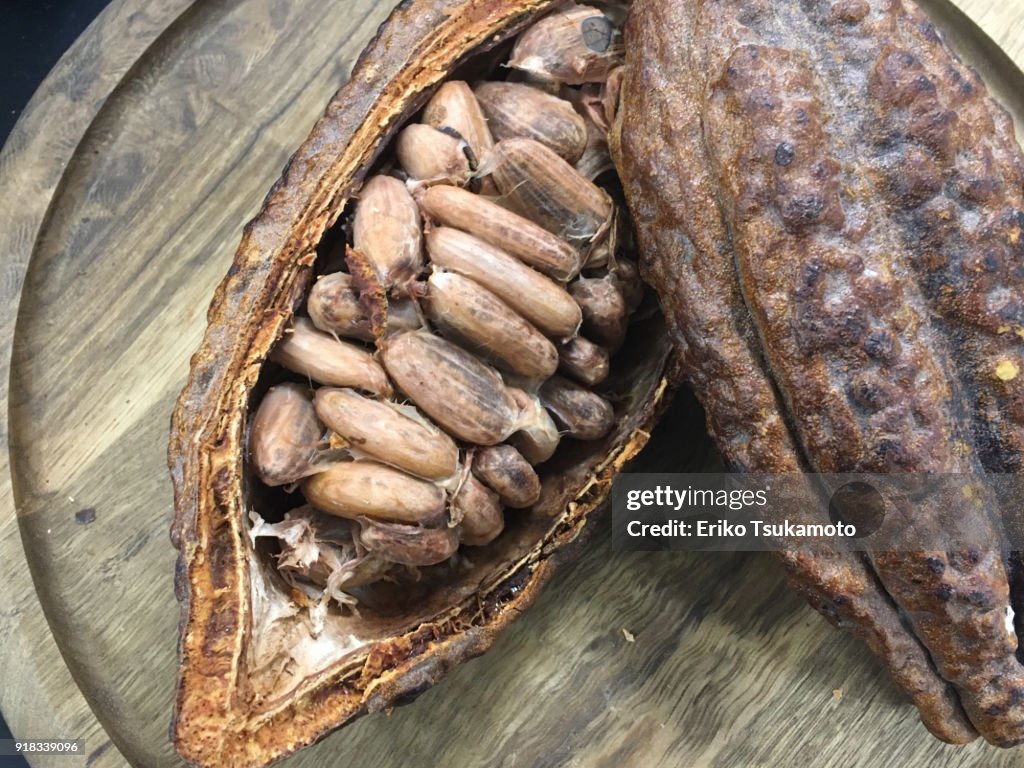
point(466, 398)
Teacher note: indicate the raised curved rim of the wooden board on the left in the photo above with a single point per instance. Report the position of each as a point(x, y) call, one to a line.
point(32, 166)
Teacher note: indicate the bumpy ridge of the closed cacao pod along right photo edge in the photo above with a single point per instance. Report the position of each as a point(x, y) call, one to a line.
point(961, 215)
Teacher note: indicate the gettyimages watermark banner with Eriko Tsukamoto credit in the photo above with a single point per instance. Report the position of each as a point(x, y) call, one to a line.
point(841, 513)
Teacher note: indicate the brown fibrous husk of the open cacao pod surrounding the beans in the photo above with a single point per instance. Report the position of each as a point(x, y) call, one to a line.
point(236, 703)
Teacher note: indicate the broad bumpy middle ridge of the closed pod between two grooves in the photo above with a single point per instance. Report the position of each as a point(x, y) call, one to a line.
point(857, 408)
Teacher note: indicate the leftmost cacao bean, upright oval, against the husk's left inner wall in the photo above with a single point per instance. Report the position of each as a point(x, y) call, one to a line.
point(284, 436)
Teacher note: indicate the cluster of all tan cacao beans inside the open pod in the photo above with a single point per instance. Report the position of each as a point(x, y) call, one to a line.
point(463, 325)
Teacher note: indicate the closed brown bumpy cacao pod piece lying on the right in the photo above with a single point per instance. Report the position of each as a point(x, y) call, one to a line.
point(820, 184)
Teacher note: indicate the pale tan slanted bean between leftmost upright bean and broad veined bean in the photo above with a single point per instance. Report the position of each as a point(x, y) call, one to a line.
point(378, 430)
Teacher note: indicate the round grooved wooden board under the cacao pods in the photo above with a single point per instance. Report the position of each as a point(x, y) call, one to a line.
point(125, 187)
